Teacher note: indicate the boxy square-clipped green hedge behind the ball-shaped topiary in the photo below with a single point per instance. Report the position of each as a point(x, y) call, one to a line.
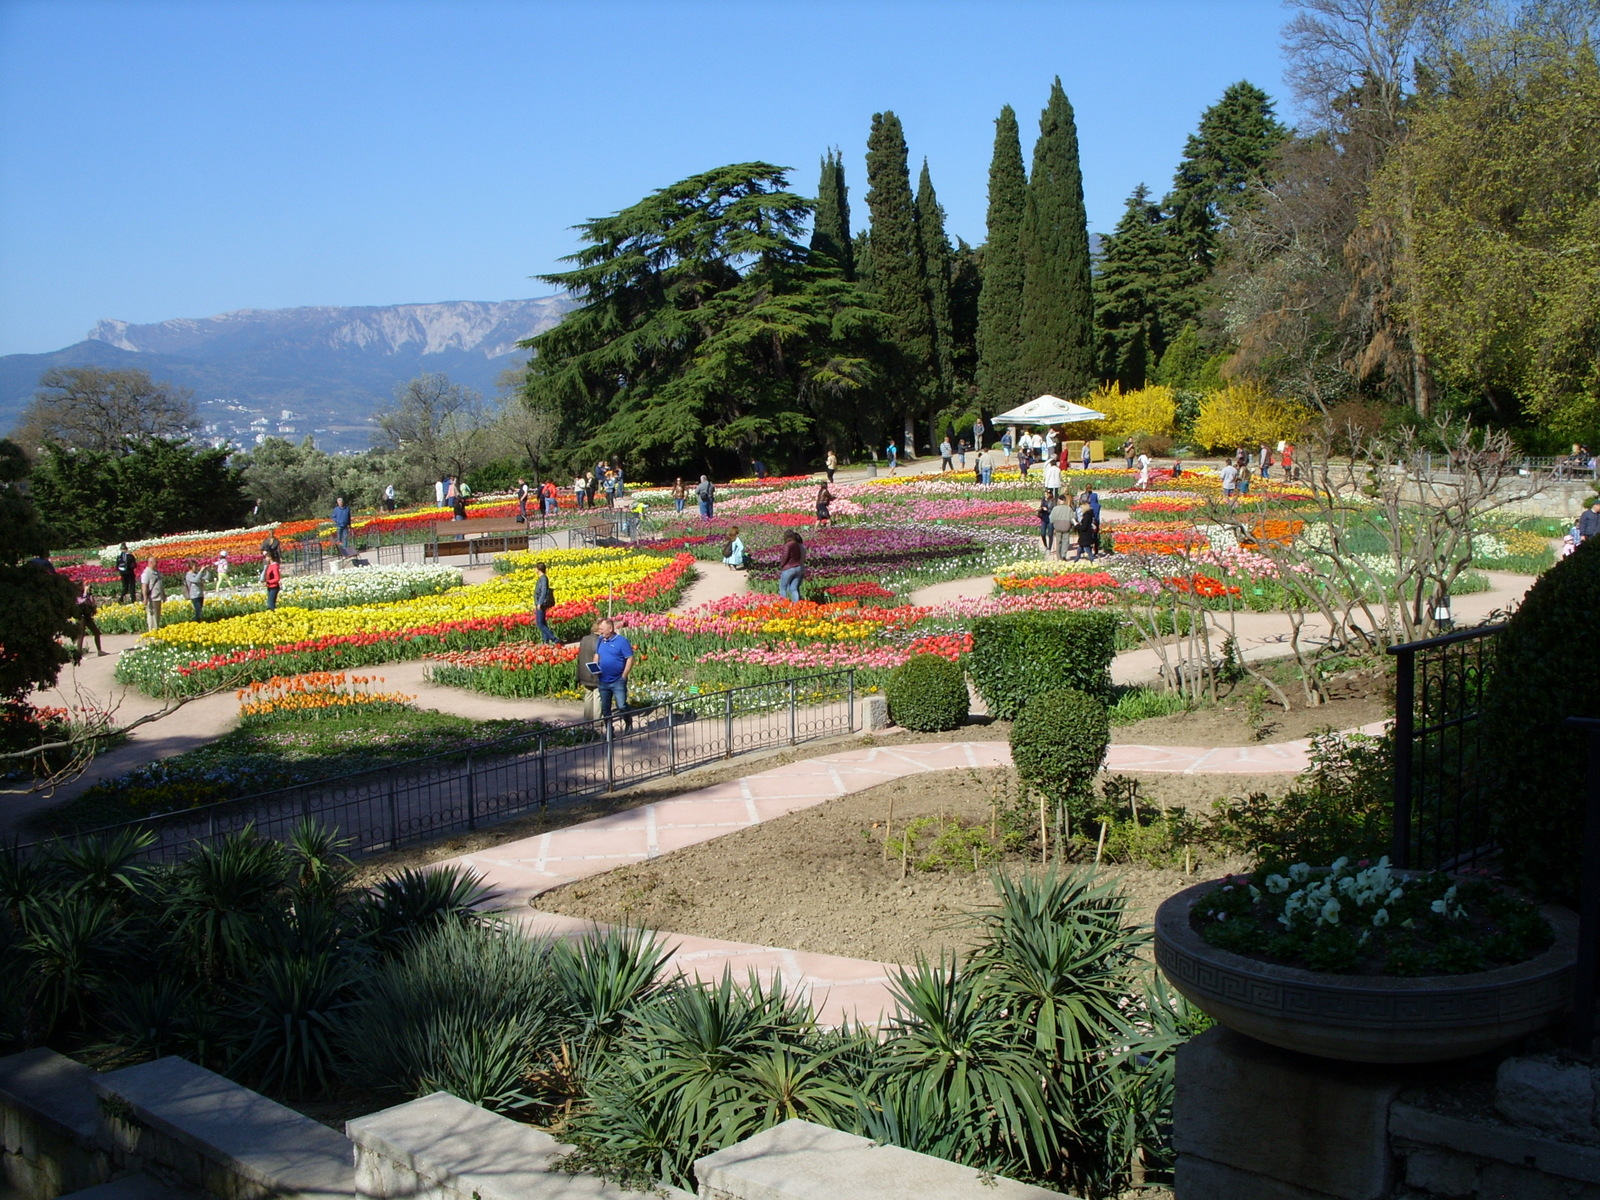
point(1020, 655)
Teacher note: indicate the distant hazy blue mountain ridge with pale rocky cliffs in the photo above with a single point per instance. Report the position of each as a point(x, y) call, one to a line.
point(329, 367)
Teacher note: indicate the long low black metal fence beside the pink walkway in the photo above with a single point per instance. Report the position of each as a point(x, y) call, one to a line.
point(479, 786)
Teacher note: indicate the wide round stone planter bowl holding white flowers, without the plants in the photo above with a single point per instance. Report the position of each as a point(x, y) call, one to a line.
point(1361, 1018)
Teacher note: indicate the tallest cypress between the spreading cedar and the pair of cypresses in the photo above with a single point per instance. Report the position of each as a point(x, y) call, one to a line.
point(900, 271)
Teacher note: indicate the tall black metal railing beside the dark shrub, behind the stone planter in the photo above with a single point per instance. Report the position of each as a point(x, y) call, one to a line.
point(1441, 812)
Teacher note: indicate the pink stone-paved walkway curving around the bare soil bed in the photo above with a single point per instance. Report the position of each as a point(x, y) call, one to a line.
point(841, 988)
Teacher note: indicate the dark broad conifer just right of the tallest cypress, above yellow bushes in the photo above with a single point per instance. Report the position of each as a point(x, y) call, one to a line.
point(1138, 268)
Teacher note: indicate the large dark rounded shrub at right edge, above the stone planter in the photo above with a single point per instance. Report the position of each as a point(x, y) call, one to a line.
point(1545, 671)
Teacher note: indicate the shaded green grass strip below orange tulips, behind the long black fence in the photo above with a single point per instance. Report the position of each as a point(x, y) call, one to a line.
point(273, 753)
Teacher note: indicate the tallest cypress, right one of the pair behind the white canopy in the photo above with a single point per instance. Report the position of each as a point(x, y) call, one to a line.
point(1058, 300)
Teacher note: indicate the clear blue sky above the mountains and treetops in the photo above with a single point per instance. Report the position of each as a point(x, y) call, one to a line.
point(180, 159)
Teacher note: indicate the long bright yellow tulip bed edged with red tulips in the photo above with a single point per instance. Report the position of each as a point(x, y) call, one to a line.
point(196, 657)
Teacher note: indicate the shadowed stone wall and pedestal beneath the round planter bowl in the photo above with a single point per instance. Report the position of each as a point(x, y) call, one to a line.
point(1252, 1122)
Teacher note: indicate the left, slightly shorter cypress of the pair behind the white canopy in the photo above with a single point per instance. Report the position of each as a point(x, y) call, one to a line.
point(1001, 385)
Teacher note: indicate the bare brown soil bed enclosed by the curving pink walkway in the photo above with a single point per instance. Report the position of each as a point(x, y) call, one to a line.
point(818, 881)
